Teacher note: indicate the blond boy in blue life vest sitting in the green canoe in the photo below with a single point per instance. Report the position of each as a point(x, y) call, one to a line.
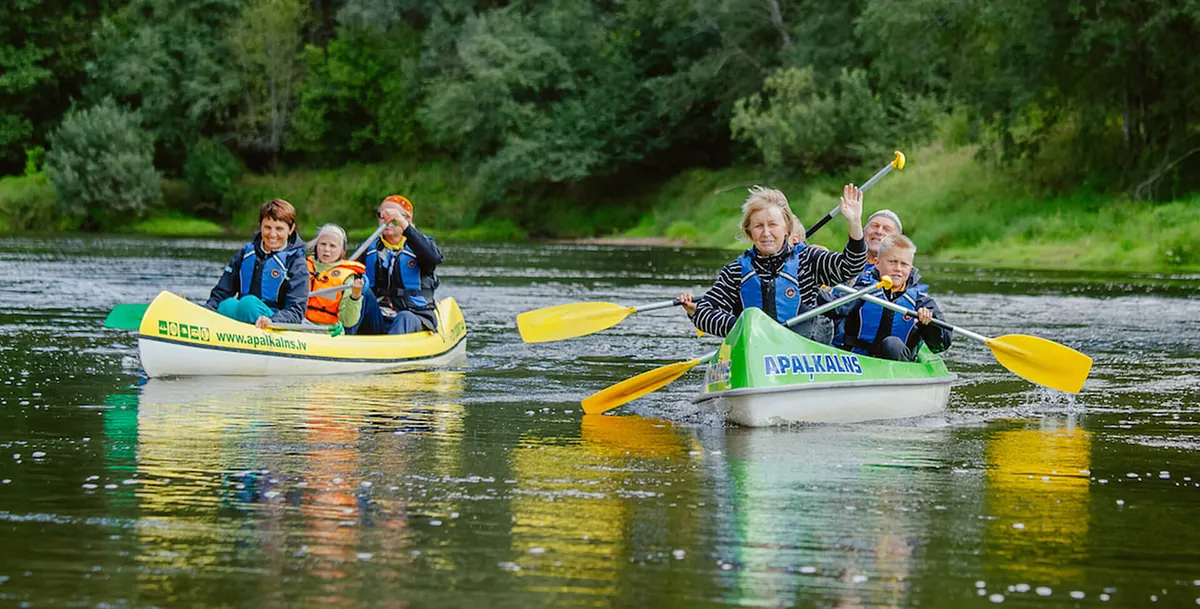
point(873, 330)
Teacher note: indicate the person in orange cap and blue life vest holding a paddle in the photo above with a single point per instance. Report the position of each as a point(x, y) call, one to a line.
point(401, 273)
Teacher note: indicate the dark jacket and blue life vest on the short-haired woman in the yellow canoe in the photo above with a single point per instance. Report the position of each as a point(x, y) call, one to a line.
point(292, 298)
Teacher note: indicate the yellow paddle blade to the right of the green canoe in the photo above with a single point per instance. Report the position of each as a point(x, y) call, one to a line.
point(1042, 361)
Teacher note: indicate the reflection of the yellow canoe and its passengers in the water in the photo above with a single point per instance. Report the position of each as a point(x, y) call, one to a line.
point(262, 474)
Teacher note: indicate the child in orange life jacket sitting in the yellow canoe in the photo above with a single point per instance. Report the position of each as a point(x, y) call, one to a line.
point(328, 270)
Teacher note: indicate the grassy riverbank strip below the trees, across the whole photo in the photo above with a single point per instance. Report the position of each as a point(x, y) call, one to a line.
point(955, 207)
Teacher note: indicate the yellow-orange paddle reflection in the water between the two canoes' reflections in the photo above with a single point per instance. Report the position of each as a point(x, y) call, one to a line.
point(595, 503)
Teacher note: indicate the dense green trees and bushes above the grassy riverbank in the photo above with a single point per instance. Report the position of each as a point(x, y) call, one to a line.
point(589, 95)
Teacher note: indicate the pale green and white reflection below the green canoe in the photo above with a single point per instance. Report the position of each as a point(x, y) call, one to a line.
point(827, 515)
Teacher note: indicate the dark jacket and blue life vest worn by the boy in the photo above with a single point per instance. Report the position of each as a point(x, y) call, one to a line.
point(880, 323)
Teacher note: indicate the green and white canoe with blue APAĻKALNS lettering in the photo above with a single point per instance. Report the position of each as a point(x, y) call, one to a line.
point(765, 375)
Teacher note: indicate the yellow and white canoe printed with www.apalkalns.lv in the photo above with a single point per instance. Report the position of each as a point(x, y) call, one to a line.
point(181, 339)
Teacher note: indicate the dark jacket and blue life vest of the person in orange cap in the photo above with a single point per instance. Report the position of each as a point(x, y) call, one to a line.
point(406, 281)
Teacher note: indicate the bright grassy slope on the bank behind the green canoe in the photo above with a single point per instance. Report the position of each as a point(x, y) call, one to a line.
point(957, 209)
